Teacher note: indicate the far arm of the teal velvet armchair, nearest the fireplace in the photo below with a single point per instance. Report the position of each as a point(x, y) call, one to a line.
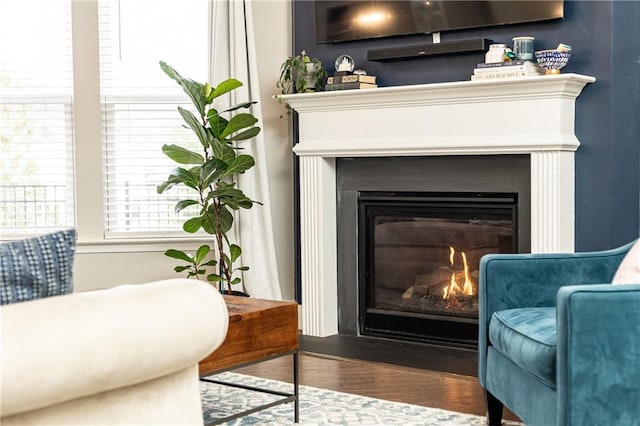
point(509, 281)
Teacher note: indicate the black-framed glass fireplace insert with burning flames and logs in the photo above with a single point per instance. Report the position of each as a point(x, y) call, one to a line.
point(418, 261)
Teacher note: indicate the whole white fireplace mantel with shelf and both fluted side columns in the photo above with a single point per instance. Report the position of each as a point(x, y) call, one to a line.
point(532, 115)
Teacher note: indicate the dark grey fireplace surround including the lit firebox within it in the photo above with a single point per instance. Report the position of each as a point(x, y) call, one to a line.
point(411, 231)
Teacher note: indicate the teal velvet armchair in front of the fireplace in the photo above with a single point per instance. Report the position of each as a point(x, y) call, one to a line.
point(558, 344)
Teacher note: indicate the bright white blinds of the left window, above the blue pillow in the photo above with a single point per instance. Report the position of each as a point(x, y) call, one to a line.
point(36, 141)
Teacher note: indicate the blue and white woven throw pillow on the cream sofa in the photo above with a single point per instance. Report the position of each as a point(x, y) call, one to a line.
point(37, 267)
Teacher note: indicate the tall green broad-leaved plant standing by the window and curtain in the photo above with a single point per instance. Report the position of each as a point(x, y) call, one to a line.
point(211, 174)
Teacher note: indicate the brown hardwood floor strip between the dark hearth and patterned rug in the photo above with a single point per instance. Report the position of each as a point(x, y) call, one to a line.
point(456, 392)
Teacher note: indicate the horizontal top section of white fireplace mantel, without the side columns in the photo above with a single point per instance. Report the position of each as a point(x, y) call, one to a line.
point(450, 118)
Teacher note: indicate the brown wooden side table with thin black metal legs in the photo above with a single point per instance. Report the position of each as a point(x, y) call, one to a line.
point(259, 330)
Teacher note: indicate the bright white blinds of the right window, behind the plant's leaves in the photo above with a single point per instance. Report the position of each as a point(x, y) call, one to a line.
point(139, 104)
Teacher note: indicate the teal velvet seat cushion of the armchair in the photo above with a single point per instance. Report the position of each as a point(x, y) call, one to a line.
point(527, 336)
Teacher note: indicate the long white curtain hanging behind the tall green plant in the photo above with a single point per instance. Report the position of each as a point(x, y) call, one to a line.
point(234, 56)
